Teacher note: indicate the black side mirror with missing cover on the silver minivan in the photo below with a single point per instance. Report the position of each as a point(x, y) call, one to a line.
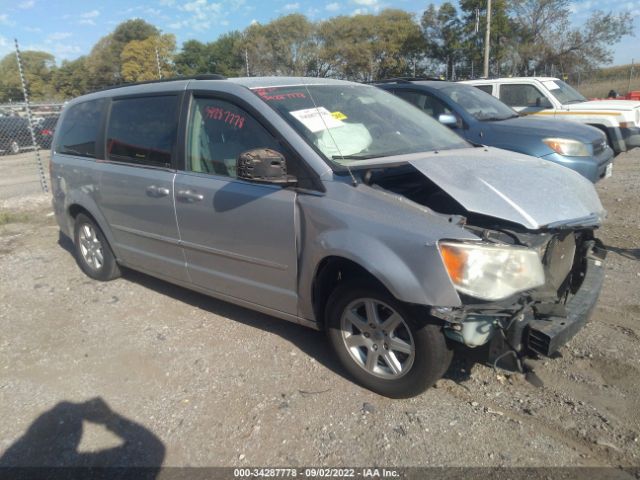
point(263, 165)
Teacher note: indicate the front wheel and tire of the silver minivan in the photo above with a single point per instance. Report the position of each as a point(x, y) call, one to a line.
point(400, 360)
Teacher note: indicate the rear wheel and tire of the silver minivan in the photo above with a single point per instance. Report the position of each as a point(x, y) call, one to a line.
point(92, 251)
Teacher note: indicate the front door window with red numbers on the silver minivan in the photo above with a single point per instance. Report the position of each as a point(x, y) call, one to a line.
point(219, 131)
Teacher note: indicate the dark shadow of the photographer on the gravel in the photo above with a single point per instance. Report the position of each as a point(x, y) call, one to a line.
point(53, 439)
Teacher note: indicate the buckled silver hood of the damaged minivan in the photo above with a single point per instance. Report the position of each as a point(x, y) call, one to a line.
point(518, 188)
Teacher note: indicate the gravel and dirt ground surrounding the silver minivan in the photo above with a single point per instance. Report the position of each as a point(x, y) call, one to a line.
point(189, 380)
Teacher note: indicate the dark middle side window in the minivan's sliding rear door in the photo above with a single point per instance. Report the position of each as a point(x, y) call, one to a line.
point(143, 130)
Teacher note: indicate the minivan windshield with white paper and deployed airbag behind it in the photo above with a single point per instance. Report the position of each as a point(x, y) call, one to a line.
point(350, 123)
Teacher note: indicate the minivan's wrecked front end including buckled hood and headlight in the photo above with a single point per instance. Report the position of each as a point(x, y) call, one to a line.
point(532, 278)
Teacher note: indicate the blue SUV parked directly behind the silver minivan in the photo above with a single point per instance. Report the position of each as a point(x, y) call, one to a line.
point(482, 119)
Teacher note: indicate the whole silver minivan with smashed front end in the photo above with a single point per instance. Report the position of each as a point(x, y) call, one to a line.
point(337, 206)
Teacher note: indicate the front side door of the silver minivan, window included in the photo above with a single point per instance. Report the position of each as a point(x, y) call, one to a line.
point(239, 237)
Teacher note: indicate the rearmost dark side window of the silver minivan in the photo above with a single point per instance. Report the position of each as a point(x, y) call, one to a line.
point(79, 129)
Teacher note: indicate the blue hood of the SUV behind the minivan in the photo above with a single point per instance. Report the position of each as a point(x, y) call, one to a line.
point(545, 127)
